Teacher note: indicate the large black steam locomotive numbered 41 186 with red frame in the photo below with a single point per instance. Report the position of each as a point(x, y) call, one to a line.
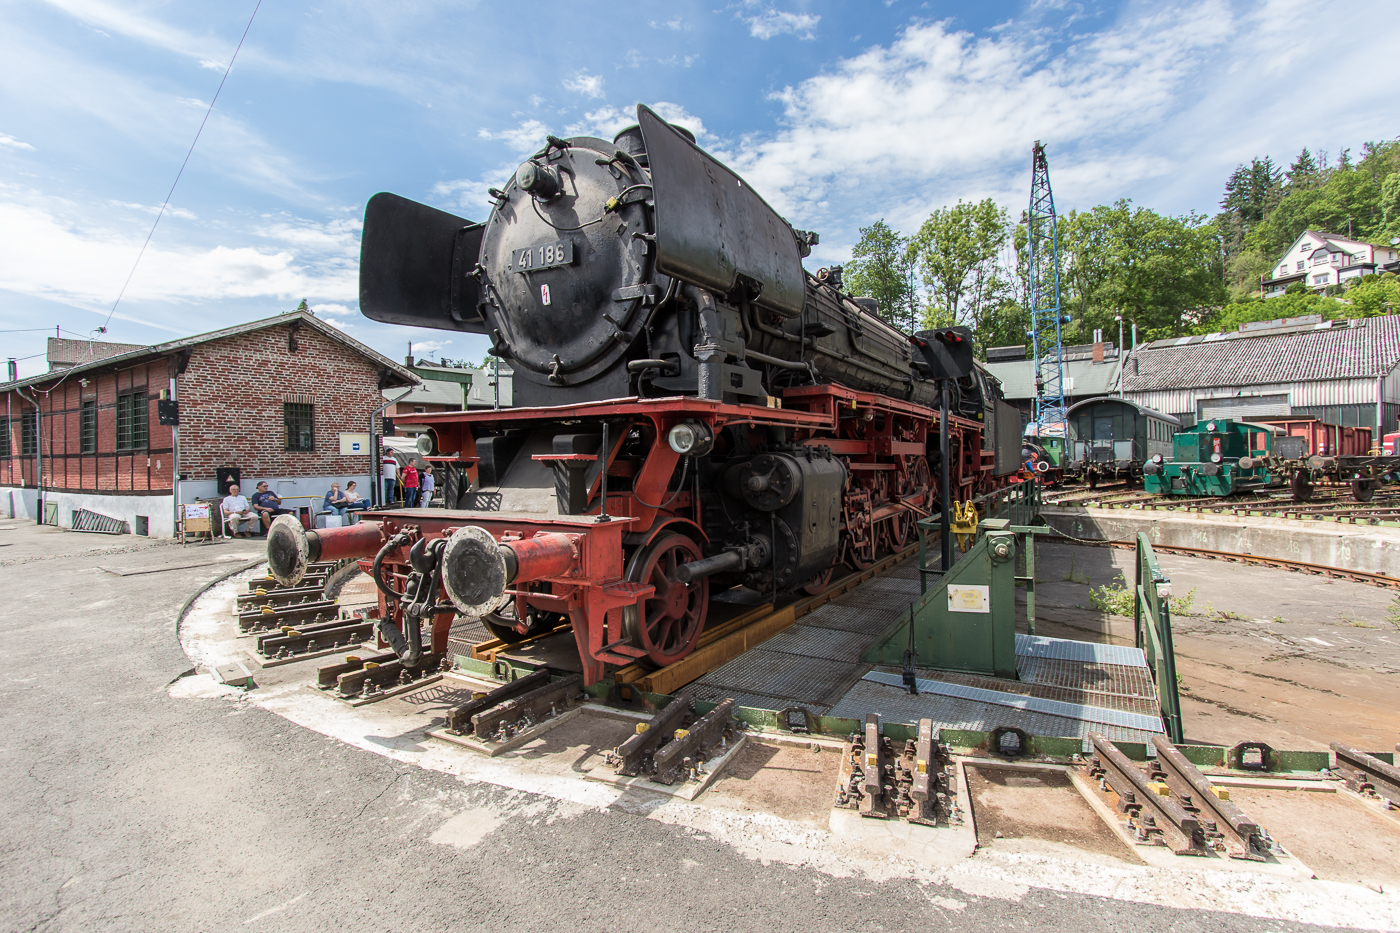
point(692, 407)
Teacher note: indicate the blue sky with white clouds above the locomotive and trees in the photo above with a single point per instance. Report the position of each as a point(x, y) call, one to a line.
point(839, 114)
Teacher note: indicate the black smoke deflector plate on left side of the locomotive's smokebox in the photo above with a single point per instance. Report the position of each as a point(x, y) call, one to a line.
point(416, 264)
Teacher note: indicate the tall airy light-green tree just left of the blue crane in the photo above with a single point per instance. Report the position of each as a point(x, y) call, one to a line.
point(957, 253)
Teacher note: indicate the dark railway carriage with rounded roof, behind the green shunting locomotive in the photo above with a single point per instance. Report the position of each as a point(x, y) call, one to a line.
point(1114, 438)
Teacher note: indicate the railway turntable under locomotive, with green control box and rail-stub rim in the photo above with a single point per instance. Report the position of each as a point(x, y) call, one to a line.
point(814, 729)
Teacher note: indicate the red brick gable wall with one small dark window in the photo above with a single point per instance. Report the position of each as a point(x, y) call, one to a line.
point(232, 404)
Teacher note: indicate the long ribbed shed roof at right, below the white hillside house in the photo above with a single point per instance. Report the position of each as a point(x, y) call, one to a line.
point(1357, 350)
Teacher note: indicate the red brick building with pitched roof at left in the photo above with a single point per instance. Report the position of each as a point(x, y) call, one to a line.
point(288, 400)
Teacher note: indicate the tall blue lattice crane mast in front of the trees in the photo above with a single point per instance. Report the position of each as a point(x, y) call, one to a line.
point(1046, 317)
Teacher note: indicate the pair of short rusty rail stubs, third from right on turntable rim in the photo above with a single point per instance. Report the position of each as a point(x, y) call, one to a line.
point(915, 782)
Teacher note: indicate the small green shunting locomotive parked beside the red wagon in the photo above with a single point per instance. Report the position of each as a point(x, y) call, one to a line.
point(1214, 459)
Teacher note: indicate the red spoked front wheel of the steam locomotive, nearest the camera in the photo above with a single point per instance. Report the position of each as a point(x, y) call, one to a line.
point(667, 624)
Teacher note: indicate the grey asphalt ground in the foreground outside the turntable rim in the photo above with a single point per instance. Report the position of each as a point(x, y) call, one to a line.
point(127, 809)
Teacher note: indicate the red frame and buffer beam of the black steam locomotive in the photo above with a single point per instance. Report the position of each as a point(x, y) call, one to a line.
point(605, 571)
